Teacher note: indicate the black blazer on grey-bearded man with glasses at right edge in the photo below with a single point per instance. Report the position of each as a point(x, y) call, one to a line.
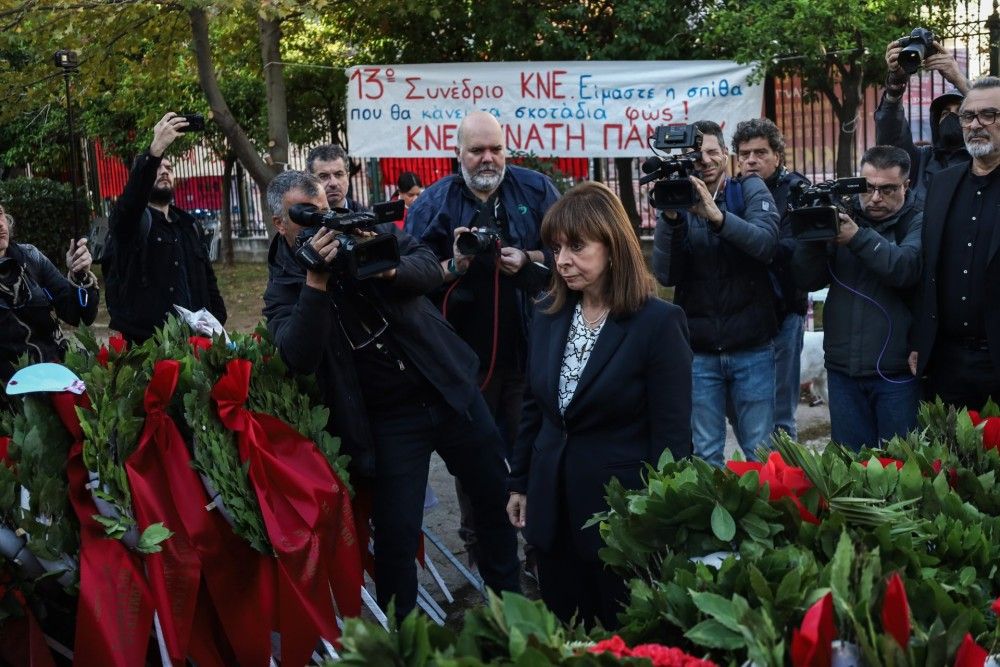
point(940, 192)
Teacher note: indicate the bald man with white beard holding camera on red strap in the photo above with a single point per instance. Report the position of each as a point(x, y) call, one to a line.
point(491, 304)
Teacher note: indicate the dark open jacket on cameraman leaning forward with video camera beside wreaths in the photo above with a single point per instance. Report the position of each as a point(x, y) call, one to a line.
point(302, 321)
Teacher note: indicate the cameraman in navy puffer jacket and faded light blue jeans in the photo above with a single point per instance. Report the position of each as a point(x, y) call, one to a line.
point(717, 254)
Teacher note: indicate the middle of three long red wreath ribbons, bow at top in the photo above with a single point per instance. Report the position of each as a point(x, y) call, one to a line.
point(165, 488)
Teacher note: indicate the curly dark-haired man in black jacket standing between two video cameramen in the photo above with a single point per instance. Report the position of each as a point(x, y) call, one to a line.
point(760, 150)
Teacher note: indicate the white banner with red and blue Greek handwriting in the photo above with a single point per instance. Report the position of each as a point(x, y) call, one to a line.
point(562, 109)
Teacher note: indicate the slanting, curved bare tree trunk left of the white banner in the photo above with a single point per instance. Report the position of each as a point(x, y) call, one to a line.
point(246, 152)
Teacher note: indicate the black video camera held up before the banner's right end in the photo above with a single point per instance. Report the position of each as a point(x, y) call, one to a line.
point(672, 189)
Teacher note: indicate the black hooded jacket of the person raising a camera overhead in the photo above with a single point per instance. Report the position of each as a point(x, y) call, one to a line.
point(892, 129)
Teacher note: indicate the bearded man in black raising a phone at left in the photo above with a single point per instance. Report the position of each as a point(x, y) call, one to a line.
point(157, 255)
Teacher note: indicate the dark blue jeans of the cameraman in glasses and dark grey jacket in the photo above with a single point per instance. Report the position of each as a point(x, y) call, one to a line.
point(868, 410)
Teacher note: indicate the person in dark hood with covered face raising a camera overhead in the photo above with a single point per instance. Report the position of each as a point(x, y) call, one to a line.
point(892, 129)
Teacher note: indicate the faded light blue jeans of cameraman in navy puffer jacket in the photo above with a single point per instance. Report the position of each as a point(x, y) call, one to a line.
point(746, 380)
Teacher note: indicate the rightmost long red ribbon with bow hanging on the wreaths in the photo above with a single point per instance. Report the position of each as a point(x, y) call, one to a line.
point(307, 513)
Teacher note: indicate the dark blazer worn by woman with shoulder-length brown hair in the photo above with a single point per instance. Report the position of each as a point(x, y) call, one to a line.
point(632, 402)
